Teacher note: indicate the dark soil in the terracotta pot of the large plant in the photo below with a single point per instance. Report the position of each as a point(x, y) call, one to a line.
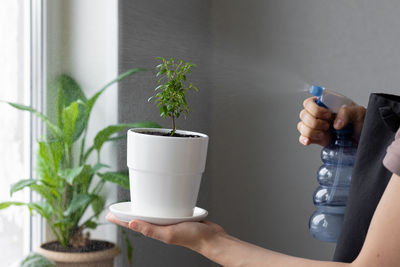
point(92, 246)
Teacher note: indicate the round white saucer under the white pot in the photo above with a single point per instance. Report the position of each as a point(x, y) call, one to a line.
point(124, 213)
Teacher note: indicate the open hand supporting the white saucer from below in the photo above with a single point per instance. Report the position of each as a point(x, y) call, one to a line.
point(193, 235)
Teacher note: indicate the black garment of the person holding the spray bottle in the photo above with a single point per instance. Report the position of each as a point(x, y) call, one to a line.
point(369, 177)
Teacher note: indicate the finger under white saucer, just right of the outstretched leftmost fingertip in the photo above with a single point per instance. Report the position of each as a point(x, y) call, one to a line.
point(162, 233)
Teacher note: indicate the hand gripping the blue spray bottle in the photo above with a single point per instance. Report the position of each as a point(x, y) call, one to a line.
point(316, 120)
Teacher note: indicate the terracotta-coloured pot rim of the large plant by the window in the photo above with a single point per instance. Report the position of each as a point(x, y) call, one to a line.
point(102, 258)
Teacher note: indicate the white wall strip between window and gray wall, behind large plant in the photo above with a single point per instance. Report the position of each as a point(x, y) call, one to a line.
point(82, 41)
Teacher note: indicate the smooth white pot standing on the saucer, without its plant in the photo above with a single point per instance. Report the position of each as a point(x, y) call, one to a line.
point(165, 172)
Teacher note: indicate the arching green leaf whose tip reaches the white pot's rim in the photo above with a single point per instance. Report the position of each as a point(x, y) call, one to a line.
point(105, 134)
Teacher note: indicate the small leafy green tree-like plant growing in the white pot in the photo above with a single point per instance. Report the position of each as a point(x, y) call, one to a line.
point(172, 88)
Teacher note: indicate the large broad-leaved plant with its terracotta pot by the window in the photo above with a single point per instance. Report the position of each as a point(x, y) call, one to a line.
point(66, 179)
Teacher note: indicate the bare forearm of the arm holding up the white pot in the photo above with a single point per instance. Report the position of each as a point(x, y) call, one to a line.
point(231, 252)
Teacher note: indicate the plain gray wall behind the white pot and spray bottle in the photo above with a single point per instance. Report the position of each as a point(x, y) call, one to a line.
point(254, 59)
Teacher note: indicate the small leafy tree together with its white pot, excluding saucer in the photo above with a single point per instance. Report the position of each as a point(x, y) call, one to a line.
point(166, 165)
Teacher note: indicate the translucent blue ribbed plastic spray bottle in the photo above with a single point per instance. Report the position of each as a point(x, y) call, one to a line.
point(334, 176)
